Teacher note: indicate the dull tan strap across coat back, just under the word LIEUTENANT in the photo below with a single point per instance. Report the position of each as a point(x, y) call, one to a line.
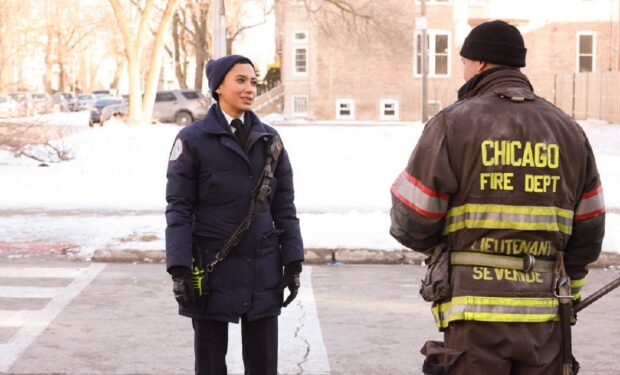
point(463, 258)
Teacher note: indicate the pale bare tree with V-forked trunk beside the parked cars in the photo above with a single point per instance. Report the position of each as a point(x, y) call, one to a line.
point(141, 106)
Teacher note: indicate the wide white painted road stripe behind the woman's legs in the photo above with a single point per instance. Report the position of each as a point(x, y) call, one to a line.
point(302, 348)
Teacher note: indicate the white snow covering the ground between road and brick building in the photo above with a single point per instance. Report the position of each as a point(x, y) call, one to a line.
point(112, 195)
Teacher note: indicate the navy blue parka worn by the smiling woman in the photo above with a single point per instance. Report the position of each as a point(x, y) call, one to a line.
point(210, 178)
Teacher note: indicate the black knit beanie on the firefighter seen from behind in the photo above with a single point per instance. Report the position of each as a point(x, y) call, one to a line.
point(495, 42)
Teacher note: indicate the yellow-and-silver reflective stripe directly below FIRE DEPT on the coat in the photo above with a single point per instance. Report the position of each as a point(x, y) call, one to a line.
point(499, 216)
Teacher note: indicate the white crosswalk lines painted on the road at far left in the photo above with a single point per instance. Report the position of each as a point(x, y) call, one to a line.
point(40, 319)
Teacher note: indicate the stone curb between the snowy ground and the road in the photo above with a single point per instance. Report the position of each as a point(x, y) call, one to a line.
point(317, 256)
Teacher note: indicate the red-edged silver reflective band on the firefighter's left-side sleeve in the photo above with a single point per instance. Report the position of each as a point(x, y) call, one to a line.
point(418, 197)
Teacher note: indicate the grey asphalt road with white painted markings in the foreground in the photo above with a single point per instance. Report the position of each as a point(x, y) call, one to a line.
point(72, 317)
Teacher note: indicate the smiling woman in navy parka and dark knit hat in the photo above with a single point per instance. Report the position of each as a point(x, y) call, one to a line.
point(215, 167)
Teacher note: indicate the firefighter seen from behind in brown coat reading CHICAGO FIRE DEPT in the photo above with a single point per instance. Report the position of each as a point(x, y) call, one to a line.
point(498, 185)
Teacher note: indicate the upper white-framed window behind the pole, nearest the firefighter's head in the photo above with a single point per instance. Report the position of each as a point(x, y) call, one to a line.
point(438, 53)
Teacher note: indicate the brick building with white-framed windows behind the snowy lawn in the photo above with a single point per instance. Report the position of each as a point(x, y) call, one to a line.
point(339, 67)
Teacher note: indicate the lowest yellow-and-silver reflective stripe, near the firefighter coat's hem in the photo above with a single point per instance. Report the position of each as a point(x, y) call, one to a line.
point(496, 309)
